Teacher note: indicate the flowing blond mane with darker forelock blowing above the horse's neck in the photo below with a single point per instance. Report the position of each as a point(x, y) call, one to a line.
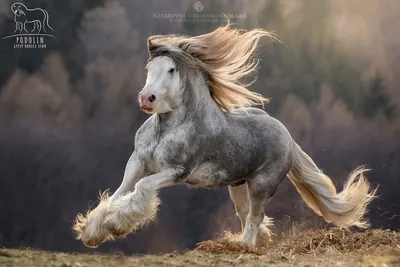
point(225, 55)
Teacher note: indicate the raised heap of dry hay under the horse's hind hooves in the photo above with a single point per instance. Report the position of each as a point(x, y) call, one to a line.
point(308, 241)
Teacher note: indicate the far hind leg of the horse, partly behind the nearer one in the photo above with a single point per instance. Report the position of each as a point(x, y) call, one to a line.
point(240, 199)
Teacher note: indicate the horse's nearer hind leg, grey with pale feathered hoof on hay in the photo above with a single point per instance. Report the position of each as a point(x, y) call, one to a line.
point(260, 189)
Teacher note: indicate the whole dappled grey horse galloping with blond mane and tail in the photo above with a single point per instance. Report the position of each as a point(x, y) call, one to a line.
point(203, 133)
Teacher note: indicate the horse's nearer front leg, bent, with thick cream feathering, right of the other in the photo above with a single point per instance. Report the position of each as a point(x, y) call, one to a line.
point(137, 208)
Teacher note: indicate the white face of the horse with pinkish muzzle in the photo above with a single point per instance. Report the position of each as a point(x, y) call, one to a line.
point(162, 86)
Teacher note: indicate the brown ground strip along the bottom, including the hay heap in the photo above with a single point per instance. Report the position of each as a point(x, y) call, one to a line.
point(326, 248)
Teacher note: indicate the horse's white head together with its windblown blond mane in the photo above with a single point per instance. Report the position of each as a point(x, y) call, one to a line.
point(215, 61)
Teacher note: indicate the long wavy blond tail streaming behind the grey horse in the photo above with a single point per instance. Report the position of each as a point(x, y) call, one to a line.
point(343, 209)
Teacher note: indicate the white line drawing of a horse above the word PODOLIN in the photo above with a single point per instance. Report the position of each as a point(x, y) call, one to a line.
point(36, 16)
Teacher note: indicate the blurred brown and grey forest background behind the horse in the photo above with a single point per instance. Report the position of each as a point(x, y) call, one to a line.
point(68, 113)
